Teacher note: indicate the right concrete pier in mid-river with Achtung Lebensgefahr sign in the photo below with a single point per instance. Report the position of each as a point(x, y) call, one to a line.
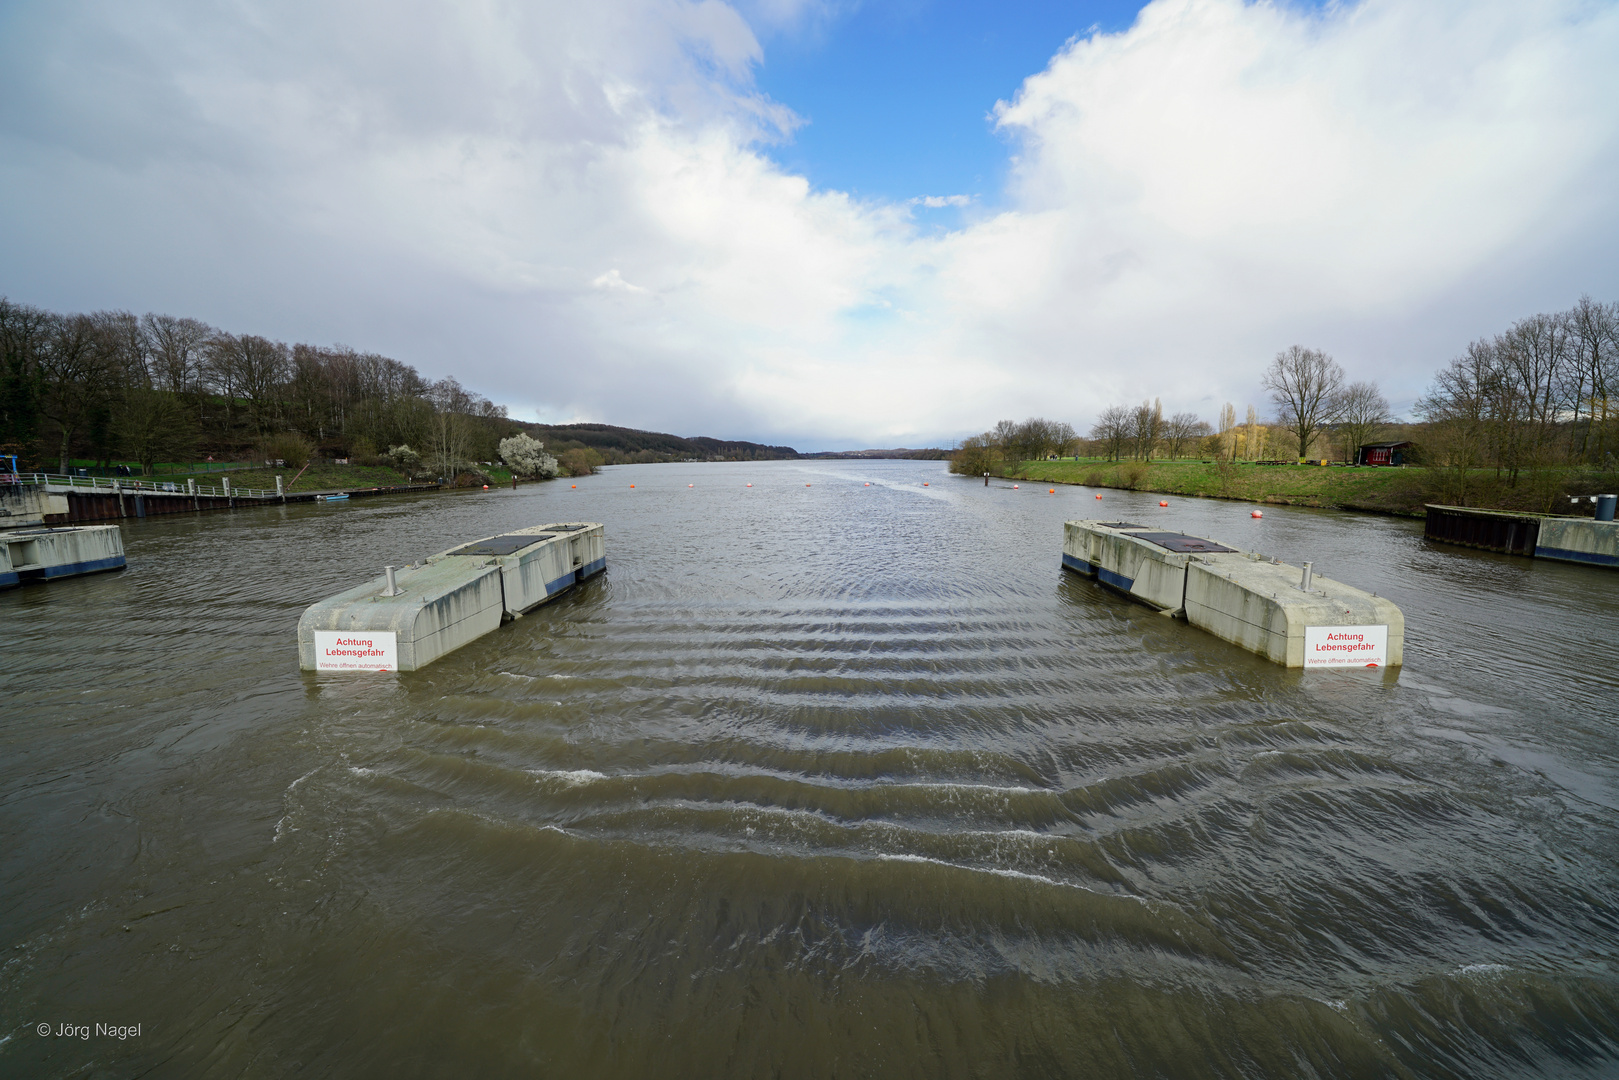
point(1283, 613)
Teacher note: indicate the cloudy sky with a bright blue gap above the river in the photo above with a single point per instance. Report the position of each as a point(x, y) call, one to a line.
point(846, 224)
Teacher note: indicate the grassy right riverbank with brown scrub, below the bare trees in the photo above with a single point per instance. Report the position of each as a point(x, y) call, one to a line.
point(1401, 491)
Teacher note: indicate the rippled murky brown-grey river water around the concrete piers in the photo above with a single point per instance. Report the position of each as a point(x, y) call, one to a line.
point(831, 776)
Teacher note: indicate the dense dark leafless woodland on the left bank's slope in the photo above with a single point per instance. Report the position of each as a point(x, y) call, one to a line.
point(111, 386)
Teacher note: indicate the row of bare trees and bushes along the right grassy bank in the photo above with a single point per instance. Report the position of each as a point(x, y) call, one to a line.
point(1544, 393)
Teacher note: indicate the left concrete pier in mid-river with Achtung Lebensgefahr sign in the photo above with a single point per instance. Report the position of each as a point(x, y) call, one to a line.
point(409, 619)
